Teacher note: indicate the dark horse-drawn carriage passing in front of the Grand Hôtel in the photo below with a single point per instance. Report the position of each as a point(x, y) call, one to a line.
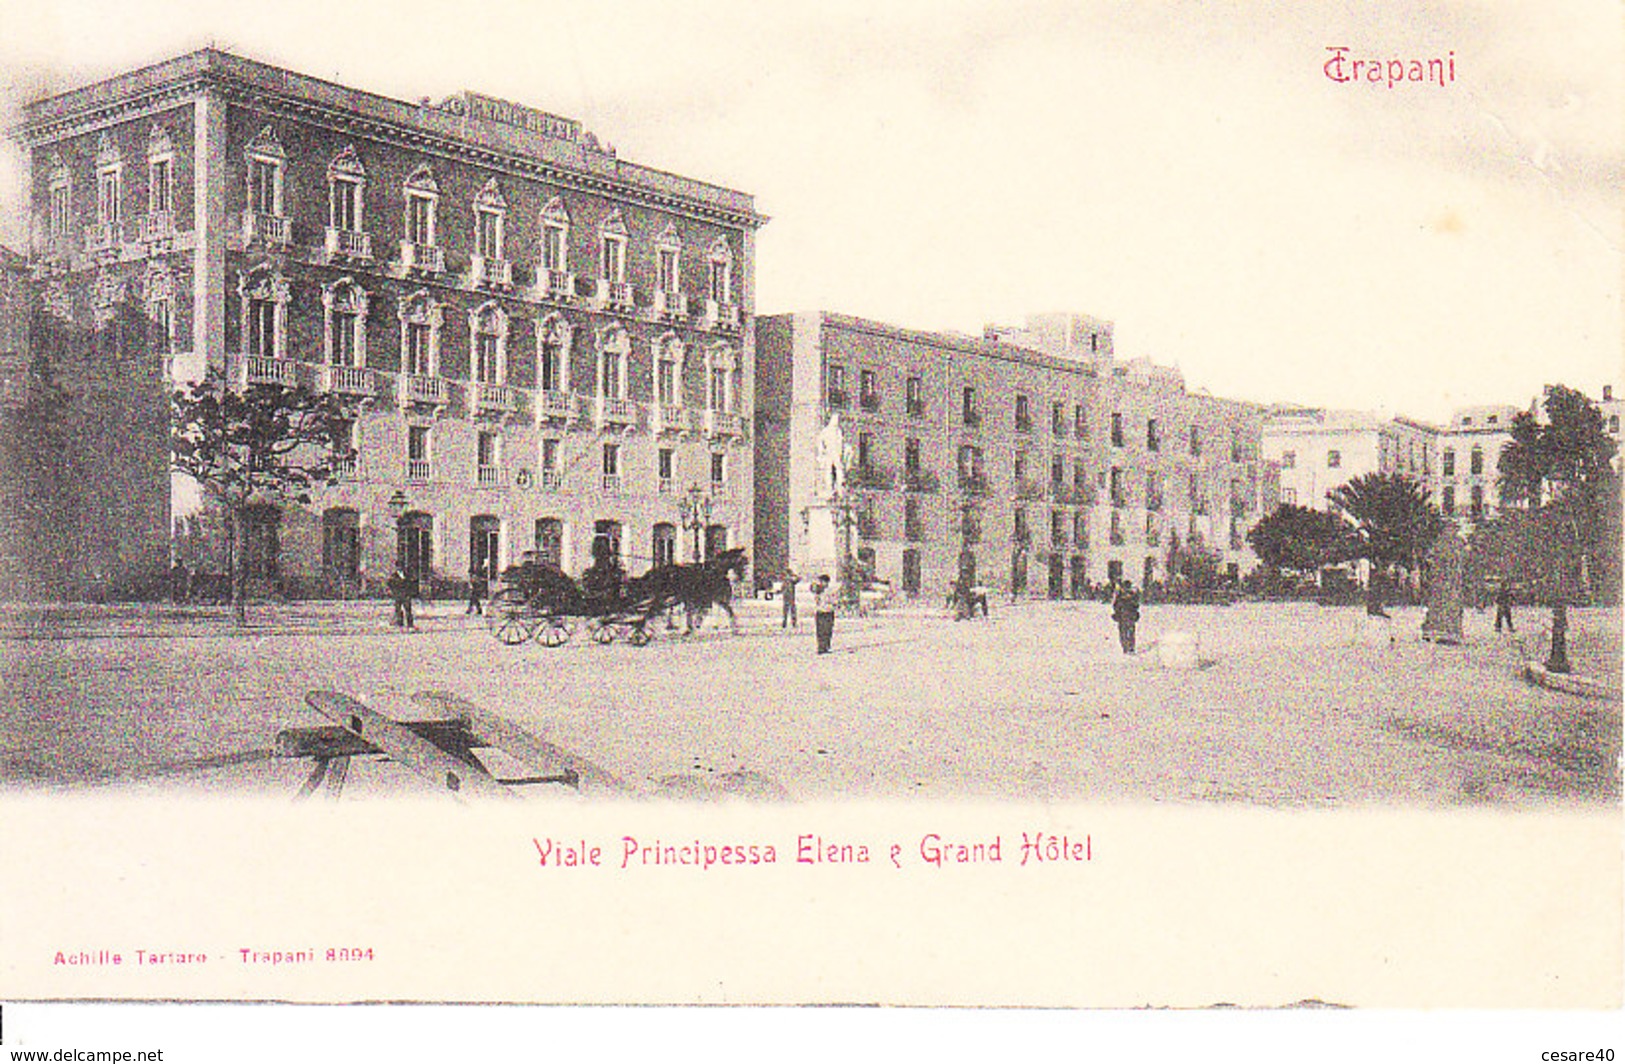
point(542, 602)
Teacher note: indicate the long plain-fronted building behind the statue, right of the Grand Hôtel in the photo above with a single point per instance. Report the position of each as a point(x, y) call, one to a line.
point(1031, 461)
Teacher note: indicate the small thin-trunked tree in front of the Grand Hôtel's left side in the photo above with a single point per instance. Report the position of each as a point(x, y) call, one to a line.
point(254, 446)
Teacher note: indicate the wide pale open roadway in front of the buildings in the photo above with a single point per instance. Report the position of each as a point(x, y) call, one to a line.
point(1038, 704)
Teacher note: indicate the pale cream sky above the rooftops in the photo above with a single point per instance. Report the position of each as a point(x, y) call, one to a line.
point(1185, 170)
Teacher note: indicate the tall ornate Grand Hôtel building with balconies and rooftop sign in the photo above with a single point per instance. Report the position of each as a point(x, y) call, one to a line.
point(550, 345)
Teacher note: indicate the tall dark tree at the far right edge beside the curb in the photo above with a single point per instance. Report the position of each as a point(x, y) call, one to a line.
point(1561, 508)
